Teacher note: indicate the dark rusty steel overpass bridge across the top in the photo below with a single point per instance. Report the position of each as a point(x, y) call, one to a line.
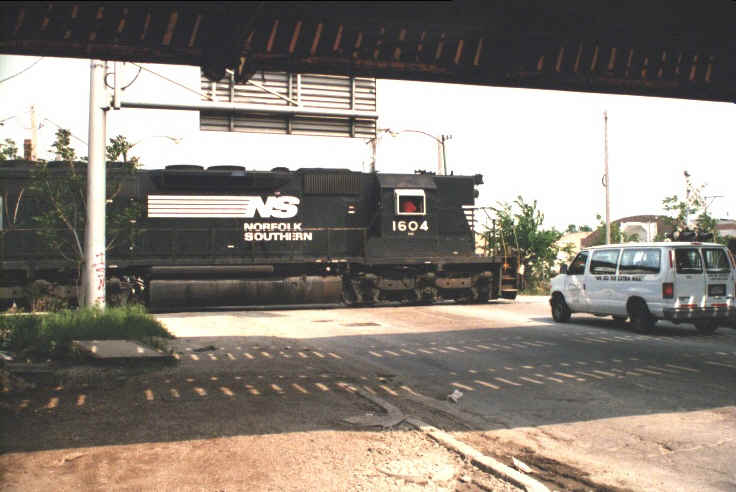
point(667, 48)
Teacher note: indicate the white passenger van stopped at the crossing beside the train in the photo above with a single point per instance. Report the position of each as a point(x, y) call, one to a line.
point(689, 282)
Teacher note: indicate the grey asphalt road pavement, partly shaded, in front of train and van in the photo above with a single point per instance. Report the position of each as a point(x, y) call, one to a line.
point(586, 405)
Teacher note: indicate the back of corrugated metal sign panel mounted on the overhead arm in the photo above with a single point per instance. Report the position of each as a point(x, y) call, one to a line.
point(281, 89)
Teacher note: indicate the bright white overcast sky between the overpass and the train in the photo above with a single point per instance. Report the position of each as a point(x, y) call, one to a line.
point(541, 145)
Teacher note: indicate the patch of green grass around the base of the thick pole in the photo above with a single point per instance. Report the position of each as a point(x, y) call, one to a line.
point(50, 335)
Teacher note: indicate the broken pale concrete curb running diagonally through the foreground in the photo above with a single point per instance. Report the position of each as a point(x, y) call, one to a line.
point(477, 458)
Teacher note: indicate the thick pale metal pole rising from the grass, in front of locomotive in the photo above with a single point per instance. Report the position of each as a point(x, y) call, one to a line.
point(94, 240)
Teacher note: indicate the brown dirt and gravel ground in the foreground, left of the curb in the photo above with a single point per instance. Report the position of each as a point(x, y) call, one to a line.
point(192, 428)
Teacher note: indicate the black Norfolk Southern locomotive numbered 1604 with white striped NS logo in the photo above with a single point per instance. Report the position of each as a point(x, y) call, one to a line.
point(227, 236)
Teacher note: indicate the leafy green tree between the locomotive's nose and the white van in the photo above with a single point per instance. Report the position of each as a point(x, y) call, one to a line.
point(519, 233)
